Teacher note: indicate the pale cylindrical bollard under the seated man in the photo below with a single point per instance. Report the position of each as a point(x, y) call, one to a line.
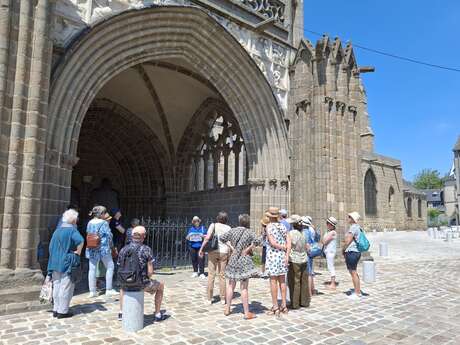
point(133, 311)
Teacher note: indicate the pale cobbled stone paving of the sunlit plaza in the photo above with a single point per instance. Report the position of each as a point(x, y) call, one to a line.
point(415, 300)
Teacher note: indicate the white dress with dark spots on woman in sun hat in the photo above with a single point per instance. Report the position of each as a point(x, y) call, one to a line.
point(275, 264)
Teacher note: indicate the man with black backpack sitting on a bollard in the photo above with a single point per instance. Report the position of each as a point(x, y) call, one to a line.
point(145, 262)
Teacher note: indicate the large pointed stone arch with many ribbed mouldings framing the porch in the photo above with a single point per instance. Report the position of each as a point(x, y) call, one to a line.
point(184, 34)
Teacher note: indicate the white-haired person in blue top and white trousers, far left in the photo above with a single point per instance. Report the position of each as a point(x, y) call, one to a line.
point(64, 257)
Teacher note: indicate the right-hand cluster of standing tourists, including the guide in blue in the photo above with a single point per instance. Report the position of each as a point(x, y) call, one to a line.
point(289, 247)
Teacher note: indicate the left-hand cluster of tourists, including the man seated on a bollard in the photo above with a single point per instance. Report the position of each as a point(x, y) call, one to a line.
point(109, 248)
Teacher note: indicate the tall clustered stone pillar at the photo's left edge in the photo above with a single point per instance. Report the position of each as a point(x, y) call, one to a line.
point(24, 105)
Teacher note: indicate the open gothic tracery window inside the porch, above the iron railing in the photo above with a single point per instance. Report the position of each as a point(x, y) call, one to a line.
point(220, 158)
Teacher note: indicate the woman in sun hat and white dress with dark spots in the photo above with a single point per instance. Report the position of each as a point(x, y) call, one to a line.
point(278, 250)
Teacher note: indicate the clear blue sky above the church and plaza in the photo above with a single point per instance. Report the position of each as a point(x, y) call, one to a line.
point(415, 110)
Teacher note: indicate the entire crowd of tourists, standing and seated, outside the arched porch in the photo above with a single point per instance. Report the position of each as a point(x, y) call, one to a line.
point(289, 247)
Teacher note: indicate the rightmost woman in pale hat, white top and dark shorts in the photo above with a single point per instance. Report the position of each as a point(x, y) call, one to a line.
point(351, 252)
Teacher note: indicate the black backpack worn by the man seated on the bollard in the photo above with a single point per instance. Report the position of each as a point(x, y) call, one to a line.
point(130, 270)
